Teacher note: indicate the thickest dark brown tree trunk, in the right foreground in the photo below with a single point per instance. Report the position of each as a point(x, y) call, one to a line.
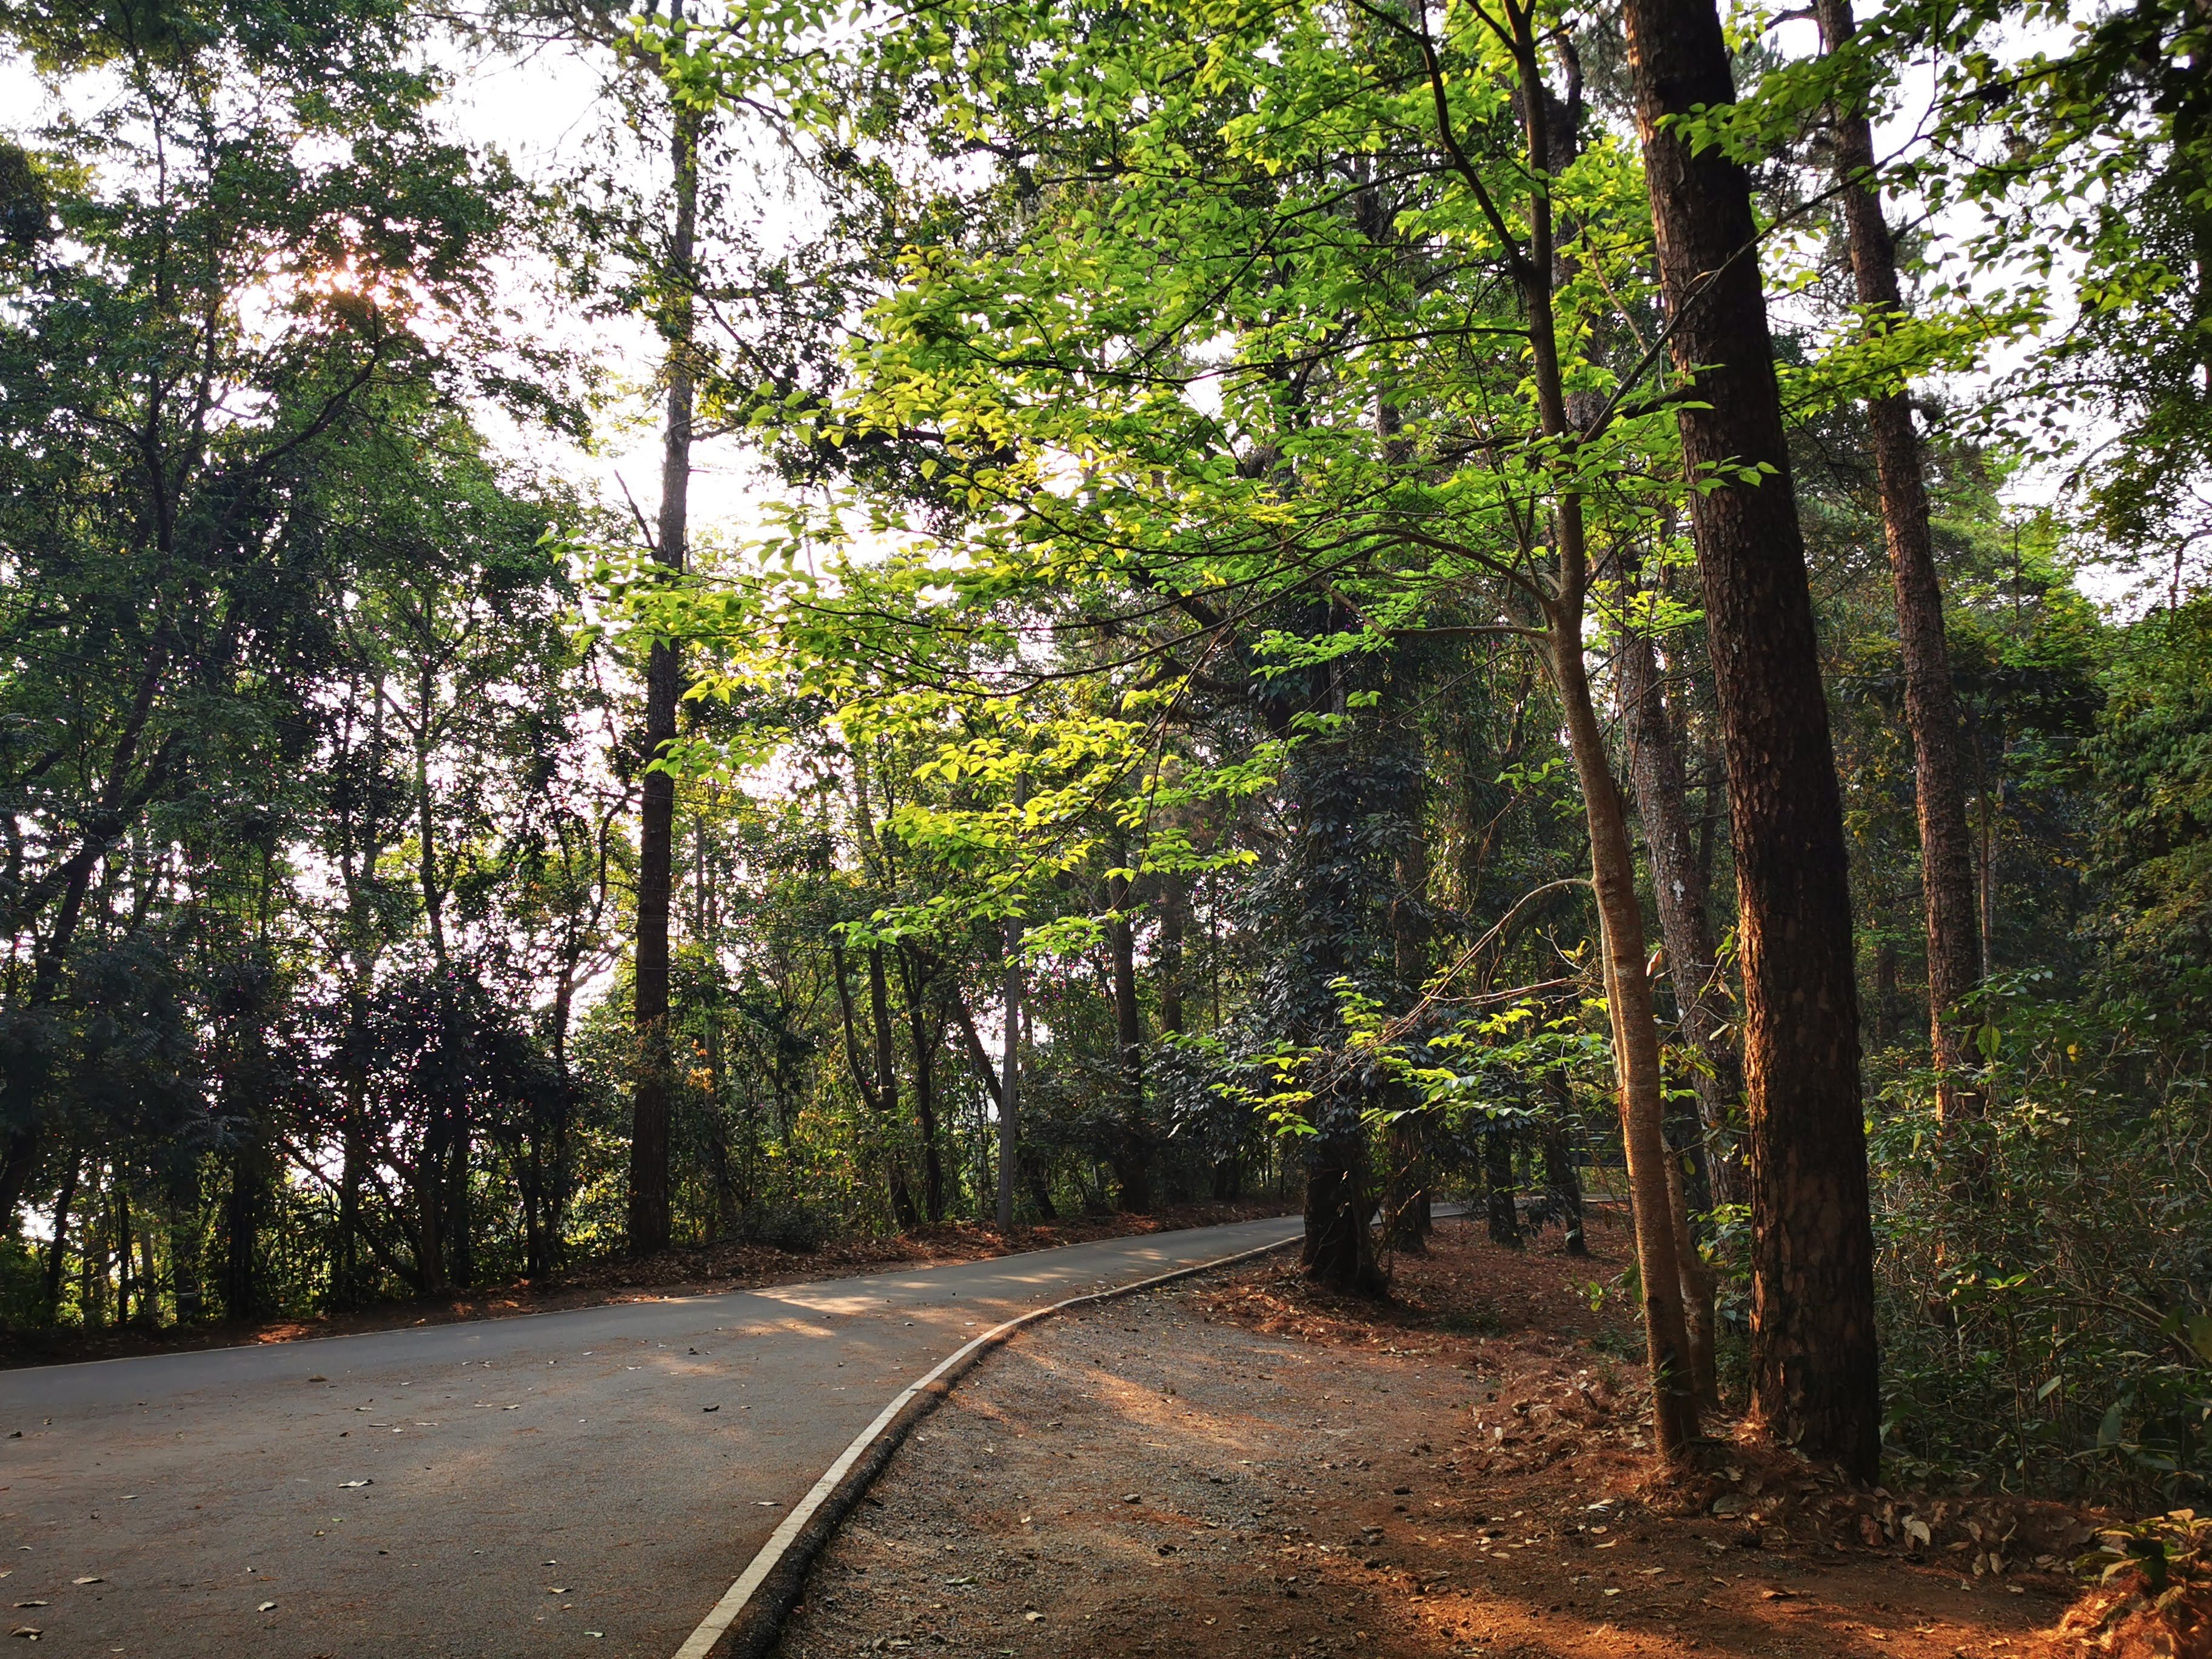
point(1813, 1246)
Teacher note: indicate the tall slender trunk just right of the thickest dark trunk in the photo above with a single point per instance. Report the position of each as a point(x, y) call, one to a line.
point(1930, 700)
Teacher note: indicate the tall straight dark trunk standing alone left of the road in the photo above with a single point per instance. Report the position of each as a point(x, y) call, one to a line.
point(665, 687)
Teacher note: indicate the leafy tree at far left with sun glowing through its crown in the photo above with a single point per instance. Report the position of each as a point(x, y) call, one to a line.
point(209, 278)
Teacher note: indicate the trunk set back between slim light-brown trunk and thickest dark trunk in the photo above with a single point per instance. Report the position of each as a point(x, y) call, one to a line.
point(1684, 917)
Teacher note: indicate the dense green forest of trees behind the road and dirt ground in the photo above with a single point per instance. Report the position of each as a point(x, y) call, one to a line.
point(1213, 693)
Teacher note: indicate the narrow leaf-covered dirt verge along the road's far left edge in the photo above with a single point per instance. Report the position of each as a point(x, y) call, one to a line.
point(674, 1273)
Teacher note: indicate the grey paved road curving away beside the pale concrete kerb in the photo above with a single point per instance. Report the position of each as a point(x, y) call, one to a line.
point(574, 1483)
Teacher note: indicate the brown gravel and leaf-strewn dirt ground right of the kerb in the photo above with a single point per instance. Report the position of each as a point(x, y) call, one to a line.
point(1240, 1470)
